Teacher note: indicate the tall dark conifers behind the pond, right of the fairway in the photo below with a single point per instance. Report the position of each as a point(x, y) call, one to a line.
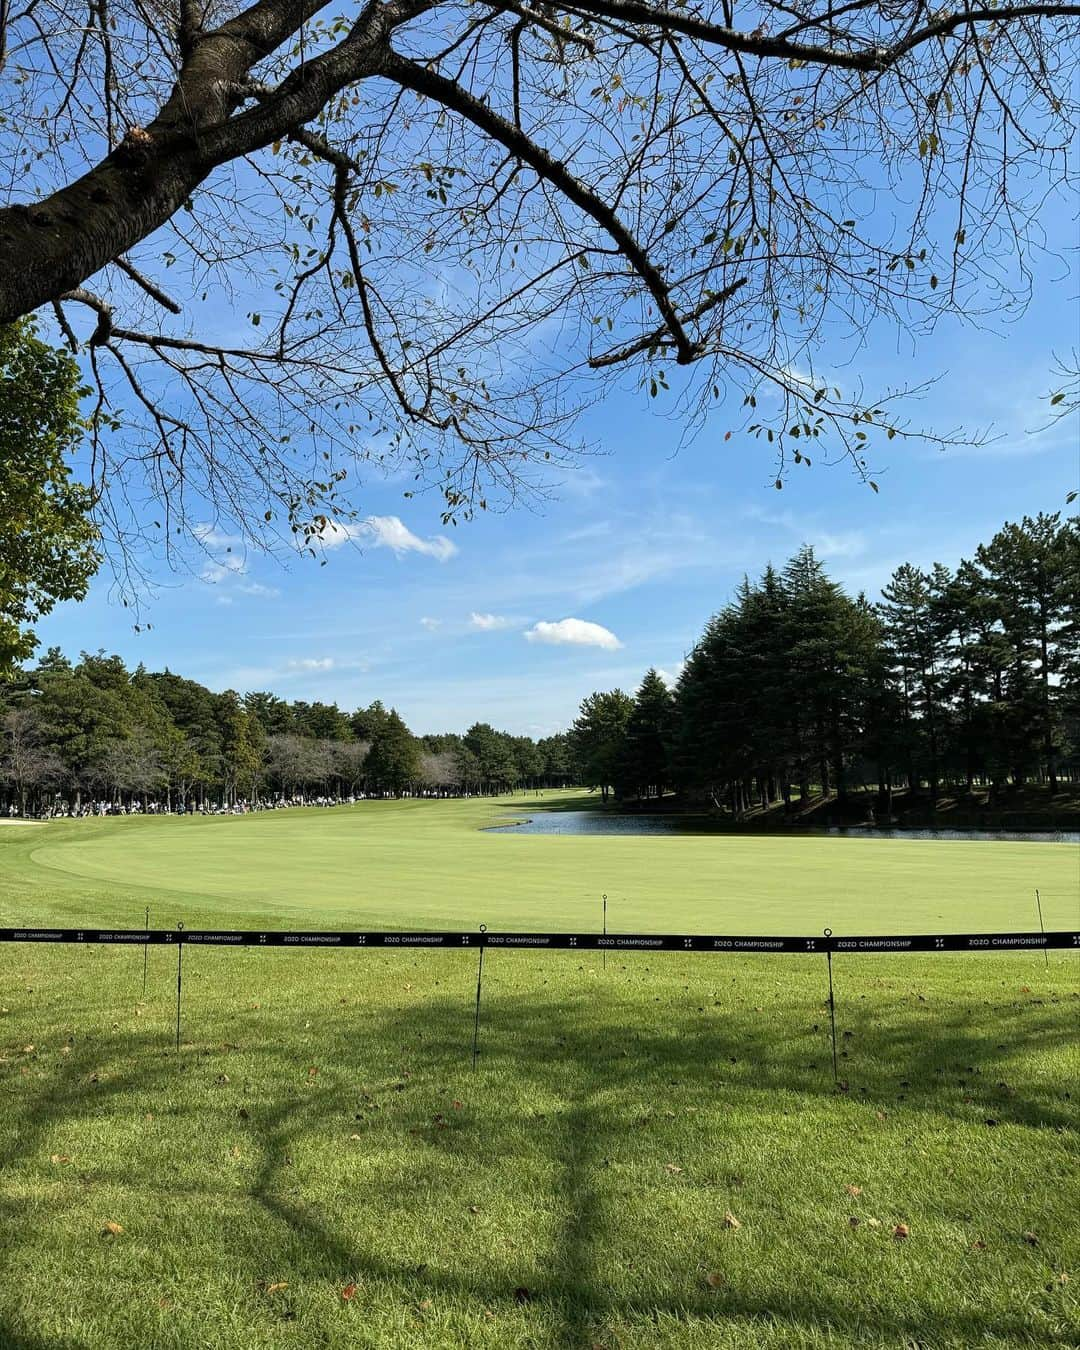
point(966, 678)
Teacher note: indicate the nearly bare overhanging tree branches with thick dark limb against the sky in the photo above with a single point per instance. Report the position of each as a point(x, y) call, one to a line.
point(458, 219)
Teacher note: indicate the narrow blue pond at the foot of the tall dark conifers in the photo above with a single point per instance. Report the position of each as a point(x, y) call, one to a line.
point(610, 823)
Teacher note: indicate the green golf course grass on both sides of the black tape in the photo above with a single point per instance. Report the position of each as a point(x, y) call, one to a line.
point(322, 1127)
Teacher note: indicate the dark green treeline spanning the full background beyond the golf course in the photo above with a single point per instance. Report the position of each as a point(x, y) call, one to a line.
point(796, 691)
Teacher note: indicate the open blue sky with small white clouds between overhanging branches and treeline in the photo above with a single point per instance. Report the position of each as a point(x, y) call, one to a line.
point(645, 542)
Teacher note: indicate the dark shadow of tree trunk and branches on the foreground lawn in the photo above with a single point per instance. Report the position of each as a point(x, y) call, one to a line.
point(601, 1069)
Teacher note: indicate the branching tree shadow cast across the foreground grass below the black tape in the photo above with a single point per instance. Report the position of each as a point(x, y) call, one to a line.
point(612, 1075)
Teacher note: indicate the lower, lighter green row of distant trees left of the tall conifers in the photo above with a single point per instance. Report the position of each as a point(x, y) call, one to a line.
point(97, 732)
